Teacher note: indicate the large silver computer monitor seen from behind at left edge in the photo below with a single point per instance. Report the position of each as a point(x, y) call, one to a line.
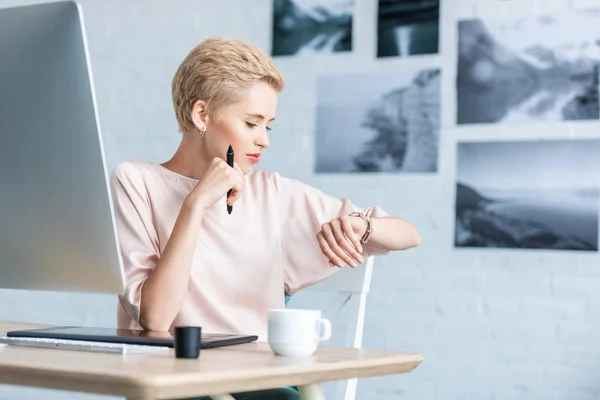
point(57, 227)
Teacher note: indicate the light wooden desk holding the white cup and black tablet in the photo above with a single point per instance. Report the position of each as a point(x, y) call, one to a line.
point(224, 370)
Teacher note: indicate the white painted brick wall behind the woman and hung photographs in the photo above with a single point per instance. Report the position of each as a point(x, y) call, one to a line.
point(492, 324)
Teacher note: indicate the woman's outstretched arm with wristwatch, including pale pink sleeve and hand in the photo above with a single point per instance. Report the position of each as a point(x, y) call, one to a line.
point(306, 212)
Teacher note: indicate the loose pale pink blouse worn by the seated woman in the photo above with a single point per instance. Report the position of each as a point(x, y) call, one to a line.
point(243, 262)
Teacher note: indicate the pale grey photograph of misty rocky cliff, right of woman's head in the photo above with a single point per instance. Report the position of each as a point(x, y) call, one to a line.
point(378, 122)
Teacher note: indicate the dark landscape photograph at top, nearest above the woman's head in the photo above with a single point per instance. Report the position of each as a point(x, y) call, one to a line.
point(312, 26)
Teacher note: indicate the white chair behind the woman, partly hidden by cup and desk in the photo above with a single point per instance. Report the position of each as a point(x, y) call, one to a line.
point(350, 287)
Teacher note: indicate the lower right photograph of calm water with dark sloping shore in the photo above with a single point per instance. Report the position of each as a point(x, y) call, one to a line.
point(528, 195)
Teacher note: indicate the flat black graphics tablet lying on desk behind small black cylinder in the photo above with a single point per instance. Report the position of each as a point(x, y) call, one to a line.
point(128, 336)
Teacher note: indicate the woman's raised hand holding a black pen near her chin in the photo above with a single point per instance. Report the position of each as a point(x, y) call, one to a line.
point(216, 182)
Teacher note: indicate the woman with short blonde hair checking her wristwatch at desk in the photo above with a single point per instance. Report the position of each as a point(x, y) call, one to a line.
point(187, 260)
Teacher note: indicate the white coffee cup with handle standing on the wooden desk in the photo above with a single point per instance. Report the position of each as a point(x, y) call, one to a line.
point(295, 332)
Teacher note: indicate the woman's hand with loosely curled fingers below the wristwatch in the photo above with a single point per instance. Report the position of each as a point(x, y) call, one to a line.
point(339, 240)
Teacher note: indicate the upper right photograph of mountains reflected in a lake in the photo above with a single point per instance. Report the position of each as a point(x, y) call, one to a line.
point(532, 68)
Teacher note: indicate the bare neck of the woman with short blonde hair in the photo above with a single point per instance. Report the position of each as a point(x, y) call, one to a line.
point(190, 159)
